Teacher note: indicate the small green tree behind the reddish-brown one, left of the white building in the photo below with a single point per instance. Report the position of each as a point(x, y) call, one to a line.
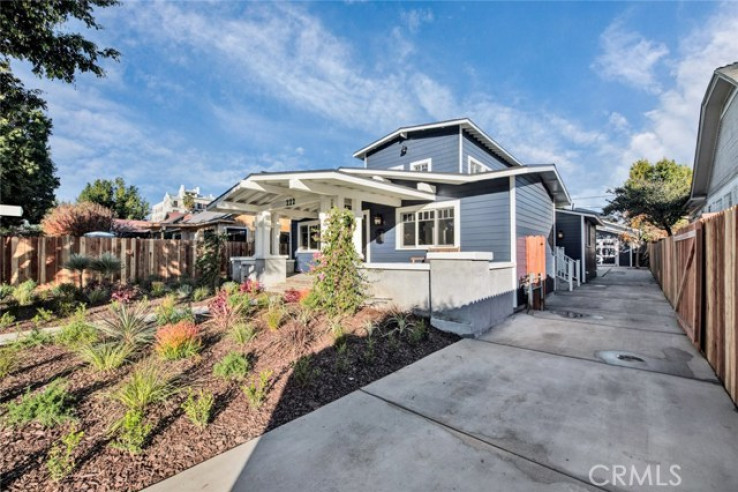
point(125, 201)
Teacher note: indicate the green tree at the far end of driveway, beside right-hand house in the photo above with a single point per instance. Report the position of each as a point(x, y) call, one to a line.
point(657, 193)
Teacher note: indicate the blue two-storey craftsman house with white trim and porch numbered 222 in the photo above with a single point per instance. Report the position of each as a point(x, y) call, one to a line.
point(442, 213)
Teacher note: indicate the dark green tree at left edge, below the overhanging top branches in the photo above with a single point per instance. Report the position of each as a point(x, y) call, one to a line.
point(27, 173)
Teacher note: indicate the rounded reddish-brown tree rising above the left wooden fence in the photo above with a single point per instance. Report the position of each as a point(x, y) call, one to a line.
point(77, 219)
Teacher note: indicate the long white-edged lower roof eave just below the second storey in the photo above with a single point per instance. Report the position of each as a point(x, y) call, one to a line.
point(548, 173)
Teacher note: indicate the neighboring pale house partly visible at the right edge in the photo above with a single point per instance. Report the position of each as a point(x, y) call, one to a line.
point(715, 173)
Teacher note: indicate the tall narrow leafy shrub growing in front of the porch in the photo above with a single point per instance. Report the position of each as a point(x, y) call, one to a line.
point(339, 284)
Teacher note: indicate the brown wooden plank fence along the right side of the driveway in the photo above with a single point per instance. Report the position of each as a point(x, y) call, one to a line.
point(698, 272)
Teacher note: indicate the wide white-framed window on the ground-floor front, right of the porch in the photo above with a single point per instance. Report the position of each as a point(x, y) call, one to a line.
point(422, 228)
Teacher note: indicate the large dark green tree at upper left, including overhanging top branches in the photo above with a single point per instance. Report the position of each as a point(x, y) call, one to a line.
point(38, 32)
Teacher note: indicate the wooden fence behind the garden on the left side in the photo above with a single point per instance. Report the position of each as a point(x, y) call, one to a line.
point(42, 259)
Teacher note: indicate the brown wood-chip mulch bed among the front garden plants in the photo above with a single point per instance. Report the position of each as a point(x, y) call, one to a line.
point(176, 444)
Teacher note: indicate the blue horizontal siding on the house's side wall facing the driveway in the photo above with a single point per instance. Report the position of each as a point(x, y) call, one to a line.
point(534, 217)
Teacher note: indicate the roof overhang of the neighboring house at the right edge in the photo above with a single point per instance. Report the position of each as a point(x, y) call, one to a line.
point(722, 85)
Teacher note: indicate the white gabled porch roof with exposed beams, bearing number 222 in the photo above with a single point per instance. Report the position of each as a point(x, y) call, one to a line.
point(298, 194)
